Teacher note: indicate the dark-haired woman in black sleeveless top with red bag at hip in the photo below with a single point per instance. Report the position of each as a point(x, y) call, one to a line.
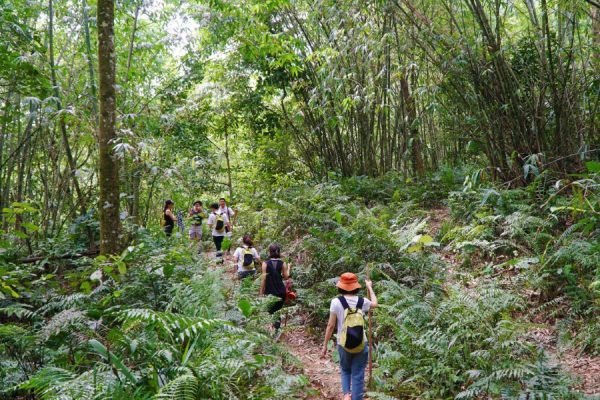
point(274, 271)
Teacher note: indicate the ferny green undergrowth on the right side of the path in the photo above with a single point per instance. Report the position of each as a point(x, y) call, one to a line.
point(440, 332)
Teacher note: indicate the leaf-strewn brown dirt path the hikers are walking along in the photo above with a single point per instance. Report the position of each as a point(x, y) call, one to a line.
point(322, 373)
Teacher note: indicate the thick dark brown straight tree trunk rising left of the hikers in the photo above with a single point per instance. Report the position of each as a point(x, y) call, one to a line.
point(110, 226)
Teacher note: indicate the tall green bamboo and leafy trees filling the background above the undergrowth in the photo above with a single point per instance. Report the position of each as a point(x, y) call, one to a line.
point(358, 88)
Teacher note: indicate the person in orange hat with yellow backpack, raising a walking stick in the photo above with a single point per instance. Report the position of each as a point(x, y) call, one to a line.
point(347, 312)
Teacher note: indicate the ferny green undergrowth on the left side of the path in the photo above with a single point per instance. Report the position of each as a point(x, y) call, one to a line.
point(155, 323)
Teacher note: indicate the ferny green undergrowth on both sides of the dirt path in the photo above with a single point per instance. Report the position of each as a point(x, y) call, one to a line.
point(159, 322)
